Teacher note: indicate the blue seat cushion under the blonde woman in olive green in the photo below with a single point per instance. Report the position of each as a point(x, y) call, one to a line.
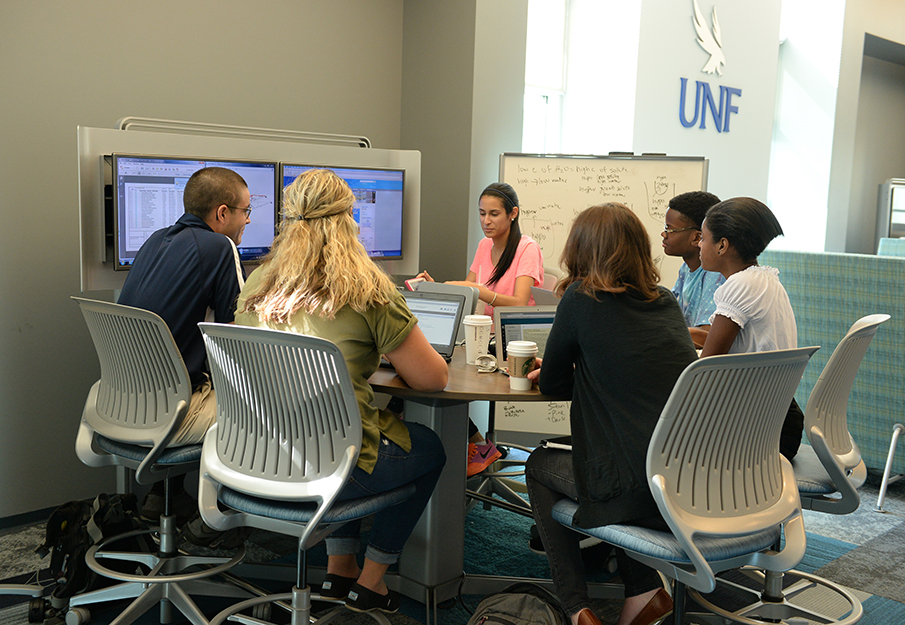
point(302, 512)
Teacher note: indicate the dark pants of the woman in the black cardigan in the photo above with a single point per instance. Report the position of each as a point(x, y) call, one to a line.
point(549, 476)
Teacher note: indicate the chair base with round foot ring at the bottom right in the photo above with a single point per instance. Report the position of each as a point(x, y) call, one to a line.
point(782, 609)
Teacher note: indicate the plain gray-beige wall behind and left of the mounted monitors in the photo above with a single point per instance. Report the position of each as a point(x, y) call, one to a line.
point(322, 65)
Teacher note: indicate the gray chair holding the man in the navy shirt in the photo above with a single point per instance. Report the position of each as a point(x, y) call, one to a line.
point(131, 415)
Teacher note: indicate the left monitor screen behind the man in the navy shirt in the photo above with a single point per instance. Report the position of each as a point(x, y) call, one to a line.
point(147, 196)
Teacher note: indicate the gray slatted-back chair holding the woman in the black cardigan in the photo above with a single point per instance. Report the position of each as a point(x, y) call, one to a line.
point(715, 471)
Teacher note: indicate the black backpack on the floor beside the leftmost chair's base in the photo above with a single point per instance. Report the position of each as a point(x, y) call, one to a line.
point(76, 526)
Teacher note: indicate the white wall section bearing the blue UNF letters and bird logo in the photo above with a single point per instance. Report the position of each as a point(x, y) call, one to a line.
point(739, 158)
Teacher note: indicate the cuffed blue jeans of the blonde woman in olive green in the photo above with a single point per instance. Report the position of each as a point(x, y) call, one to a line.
point(392, 526)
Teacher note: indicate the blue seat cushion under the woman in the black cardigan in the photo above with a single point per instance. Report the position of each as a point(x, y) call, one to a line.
point(663, 545)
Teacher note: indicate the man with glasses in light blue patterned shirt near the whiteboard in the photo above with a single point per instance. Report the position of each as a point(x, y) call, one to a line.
point(695, 287)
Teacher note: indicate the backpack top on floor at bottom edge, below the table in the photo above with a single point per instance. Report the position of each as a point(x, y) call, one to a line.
point(520, 604)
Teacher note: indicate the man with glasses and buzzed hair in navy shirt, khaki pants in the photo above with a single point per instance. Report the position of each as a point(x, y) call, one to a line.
point(187, 273)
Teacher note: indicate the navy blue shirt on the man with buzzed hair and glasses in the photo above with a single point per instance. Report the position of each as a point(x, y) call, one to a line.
point(181, 272)
